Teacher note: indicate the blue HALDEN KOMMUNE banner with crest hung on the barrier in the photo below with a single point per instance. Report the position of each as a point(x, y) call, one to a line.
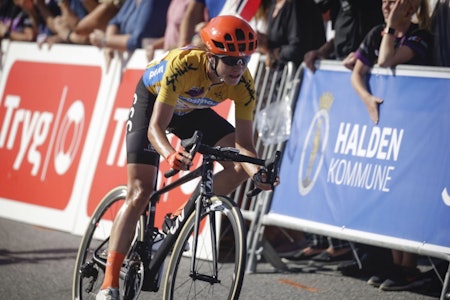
point(392, 178)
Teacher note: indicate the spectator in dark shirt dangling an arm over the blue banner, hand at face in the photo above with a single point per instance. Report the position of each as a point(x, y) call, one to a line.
point(399, 41)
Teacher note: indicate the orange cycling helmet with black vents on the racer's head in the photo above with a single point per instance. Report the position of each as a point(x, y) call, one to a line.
point(229, 35)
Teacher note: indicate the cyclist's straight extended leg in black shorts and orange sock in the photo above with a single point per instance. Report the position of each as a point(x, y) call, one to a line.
point(142, 165)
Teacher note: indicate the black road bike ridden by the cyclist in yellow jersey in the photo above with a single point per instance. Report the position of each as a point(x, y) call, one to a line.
point(204, 248)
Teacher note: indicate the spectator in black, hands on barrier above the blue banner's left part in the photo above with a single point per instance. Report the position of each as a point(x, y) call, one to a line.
point(351, 21)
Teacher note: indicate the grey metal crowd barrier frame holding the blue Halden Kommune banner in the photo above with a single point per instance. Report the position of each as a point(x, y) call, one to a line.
point(284, 85)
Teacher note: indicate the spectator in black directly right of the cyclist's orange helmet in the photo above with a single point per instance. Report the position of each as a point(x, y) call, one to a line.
point(293, 28)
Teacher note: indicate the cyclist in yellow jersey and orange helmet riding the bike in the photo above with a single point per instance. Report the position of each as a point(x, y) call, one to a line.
point(175, 94)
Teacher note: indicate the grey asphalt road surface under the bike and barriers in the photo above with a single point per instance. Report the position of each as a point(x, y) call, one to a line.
point(37, 263)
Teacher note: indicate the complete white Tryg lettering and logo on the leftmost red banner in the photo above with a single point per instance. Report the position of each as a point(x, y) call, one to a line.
point(37, 128)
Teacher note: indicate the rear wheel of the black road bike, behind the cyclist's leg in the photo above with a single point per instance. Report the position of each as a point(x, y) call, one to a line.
point(88, 275)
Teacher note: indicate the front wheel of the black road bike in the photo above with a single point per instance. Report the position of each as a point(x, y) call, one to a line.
point(231, 260)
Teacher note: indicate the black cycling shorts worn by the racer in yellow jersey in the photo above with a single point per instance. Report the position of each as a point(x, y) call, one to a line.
point(139, 148)
